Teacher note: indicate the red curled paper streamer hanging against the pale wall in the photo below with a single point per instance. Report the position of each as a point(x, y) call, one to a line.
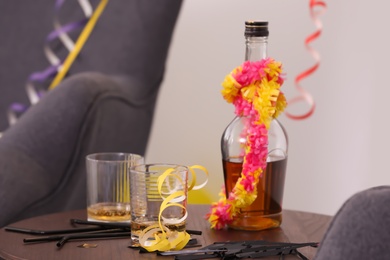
point(304, 95)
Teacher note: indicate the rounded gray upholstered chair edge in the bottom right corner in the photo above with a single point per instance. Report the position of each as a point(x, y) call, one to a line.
point(360, 229)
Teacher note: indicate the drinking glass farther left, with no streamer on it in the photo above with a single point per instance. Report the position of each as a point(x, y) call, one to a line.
point(108, 186)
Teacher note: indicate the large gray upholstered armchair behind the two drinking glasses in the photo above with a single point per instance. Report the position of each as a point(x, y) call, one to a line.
point(106, 103)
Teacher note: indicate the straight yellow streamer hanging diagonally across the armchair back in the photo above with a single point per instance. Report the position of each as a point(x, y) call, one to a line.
point(79, 44)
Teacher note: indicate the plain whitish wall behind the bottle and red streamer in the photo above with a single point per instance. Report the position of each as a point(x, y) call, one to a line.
point(341, 149)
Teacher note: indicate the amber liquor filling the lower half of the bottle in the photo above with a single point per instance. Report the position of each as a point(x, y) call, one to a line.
point(266, 211)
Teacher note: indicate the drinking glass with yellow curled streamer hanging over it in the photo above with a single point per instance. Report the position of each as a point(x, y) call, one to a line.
point(158, 196)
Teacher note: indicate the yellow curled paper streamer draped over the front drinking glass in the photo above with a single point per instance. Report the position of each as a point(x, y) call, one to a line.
point(158, 237)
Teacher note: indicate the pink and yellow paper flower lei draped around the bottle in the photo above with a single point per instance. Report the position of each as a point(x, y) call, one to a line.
point(254, 90)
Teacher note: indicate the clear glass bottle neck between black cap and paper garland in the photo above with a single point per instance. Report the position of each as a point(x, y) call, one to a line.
point(256, 48)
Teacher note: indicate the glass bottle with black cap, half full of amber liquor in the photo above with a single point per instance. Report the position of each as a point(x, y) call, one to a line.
point(266, 211)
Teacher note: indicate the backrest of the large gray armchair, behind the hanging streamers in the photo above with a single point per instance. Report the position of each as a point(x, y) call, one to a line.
point(130, 38)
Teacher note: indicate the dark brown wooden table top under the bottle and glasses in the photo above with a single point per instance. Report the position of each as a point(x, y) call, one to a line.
point(296, 227)
